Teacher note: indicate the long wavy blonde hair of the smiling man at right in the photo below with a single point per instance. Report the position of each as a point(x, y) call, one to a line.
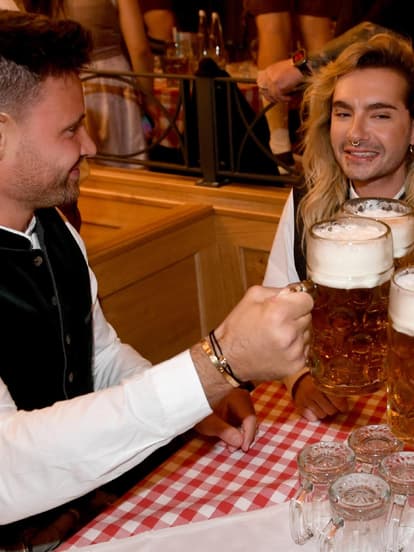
point(326, 184)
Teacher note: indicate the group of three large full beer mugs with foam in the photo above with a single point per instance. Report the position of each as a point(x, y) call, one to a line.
point(363, 318)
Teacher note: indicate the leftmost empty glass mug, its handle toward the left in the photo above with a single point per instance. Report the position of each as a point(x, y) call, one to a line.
point(319, 464)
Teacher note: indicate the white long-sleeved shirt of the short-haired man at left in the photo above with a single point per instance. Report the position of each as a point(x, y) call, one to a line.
point(55, 454)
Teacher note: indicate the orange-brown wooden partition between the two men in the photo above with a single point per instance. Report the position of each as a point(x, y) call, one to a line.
point(172, 258)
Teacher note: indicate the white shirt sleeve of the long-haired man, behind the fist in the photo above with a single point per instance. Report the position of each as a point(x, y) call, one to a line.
point(281, 269)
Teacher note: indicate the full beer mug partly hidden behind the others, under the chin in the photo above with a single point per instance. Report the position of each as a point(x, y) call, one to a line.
point(397, 214)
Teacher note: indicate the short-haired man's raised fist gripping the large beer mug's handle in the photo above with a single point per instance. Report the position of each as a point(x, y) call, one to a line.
point(266, 336)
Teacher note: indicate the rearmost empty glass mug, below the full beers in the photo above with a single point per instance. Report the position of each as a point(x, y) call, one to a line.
point(370, 444)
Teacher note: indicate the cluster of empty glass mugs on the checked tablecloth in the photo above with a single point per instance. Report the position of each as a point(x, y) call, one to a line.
point(355, 496)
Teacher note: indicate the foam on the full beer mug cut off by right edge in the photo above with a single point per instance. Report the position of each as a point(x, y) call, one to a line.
point(401, 304)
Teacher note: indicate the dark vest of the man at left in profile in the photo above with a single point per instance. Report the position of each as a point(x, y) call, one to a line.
point(46, 315)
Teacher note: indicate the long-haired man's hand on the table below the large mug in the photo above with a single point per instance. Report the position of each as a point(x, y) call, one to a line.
point(313, 404)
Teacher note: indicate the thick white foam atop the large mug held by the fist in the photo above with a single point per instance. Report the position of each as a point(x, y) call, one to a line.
point(349, 253)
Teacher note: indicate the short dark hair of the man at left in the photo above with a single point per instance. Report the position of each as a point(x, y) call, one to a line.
point(34, 47)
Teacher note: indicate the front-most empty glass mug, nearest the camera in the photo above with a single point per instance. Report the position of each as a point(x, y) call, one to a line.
point(359, 504)
